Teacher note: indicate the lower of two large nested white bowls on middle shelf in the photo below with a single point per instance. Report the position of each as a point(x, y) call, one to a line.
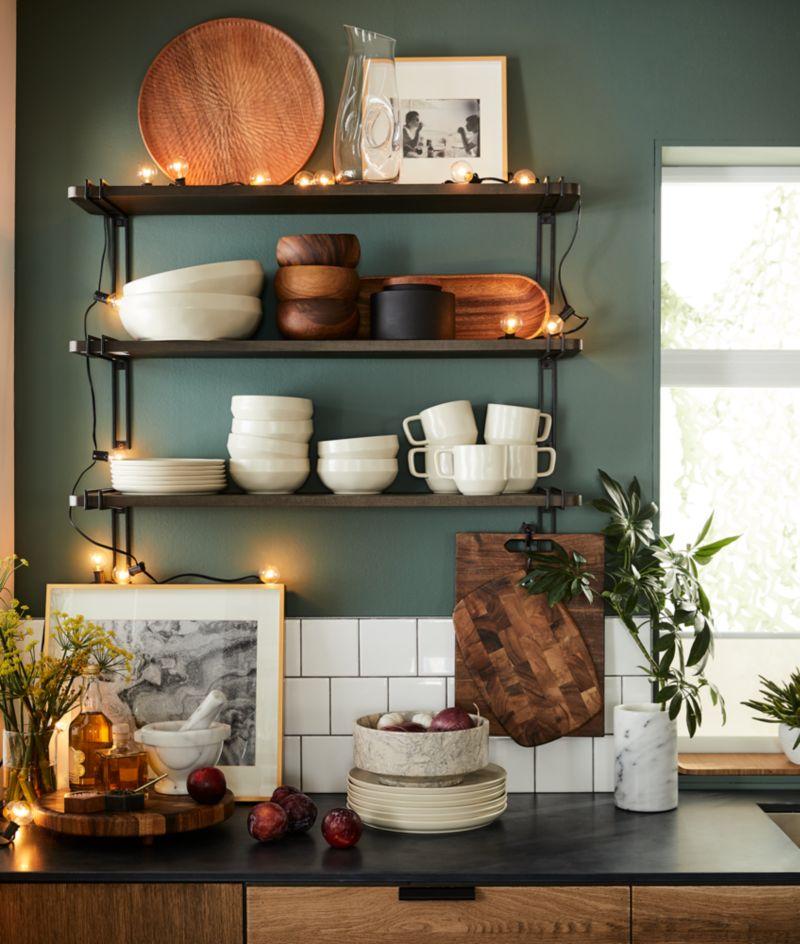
point(189, 316)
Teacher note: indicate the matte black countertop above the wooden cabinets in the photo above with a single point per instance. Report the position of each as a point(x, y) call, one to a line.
point(542, 839)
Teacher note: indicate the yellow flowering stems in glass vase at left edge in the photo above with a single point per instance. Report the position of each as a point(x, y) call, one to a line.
point(37, 688)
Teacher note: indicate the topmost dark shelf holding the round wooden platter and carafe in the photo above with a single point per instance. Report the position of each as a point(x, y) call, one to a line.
point(170, 200)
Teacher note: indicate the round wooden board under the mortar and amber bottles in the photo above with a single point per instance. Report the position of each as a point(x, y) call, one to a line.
point(162, 815)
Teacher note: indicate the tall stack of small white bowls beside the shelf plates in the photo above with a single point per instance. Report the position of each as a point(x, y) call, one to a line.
point(268, 444)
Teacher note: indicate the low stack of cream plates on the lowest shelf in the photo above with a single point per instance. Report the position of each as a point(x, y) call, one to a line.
point(168, 476)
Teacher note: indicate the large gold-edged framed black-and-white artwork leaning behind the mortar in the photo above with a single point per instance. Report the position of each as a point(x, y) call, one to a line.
point(188, 639)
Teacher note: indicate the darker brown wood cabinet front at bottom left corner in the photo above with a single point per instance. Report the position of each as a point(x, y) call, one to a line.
point(43, 913)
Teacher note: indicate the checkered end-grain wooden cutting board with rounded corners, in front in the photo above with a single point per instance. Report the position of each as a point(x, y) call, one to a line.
point(528, 660)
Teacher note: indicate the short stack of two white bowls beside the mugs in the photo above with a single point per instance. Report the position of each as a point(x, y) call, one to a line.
point(365, 465)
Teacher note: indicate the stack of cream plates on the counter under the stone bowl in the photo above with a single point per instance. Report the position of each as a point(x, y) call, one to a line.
point(477, 801)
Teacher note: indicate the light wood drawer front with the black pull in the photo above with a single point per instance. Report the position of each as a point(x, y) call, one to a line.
point(590, 915)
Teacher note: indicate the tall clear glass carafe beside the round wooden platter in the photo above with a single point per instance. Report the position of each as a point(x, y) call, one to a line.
point(367, 141)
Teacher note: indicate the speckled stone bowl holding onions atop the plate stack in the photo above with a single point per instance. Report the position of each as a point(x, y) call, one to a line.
point(433, 759)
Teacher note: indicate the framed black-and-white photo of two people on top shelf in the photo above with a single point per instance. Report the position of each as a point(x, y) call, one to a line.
point(462, 102)
